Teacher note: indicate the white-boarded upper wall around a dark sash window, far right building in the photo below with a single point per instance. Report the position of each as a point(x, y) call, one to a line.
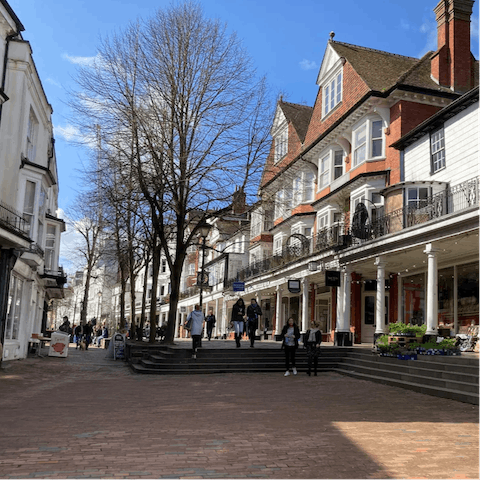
point(461, 151)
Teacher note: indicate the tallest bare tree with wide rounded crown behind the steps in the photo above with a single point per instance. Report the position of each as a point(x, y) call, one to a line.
point(182, 92)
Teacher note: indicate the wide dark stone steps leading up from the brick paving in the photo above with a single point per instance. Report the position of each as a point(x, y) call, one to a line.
point(453, 377)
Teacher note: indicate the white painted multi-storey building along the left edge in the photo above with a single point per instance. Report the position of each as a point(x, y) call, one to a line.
point(29, 229)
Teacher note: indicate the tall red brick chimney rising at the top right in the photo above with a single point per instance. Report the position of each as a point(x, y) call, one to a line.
point(453, 64)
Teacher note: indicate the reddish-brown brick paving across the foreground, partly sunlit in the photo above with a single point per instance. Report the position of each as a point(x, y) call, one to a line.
point(85, 417)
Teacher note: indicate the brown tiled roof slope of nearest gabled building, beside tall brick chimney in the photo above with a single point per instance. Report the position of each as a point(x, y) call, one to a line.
point(382, 70)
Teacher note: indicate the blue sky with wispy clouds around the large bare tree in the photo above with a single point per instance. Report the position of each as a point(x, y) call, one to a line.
point(286, 40)
